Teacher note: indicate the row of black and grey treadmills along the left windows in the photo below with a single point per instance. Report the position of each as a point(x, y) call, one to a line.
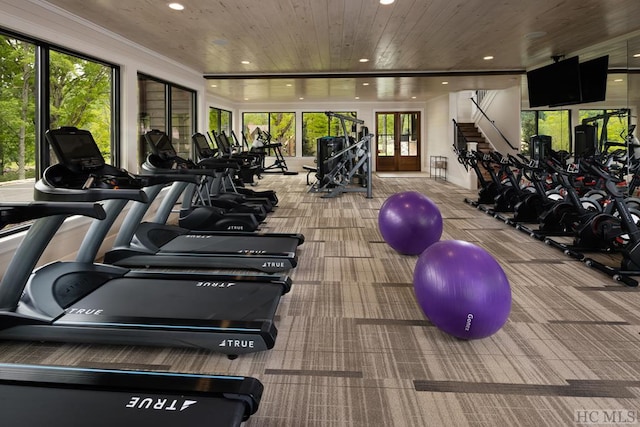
point(108, 303)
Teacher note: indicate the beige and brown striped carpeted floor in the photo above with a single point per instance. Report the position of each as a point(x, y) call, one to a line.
point(354, 348)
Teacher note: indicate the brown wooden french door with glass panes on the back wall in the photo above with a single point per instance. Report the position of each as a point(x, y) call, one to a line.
point(398, 141)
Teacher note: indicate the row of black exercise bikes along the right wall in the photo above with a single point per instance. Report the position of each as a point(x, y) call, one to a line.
point(582, 207)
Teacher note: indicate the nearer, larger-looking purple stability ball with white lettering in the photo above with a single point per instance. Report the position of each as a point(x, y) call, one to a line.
point(462, 289)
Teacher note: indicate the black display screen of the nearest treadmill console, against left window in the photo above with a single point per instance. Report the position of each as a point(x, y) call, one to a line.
point(77, 149)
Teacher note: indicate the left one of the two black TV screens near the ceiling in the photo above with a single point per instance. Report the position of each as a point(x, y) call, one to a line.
point(555, 84)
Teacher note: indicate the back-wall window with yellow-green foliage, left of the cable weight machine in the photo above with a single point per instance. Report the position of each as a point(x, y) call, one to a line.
point(280, 126)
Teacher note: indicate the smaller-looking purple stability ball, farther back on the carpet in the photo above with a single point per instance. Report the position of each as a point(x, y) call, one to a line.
point(410, 222)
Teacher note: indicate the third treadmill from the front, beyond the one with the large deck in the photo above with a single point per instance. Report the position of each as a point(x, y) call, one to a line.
point(155, 243)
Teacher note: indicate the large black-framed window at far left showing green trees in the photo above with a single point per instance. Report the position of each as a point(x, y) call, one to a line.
point(44, 87)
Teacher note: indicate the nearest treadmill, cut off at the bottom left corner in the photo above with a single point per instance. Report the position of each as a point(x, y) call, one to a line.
point(109, 397)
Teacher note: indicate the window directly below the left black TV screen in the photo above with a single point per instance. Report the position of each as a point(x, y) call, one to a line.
point(555, 123)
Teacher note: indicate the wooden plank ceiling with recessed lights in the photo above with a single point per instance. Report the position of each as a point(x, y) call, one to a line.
point(312, 48)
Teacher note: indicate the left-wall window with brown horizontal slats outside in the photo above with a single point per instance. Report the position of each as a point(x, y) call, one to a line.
point(174, 117)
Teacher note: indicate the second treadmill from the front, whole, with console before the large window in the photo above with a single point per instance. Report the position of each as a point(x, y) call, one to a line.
point(85, 302)
